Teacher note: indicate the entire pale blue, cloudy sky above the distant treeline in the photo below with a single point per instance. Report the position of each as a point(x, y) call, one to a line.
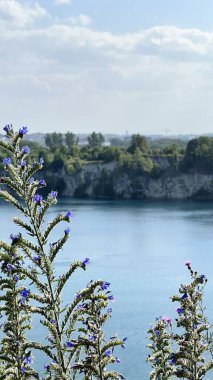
point(111, 66)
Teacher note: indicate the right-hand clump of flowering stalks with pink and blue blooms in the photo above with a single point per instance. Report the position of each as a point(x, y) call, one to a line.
point(188, 354)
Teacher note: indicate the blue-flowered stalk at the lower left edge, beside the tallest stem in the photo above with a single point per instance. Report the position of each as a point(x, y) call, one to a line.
point(14, 354)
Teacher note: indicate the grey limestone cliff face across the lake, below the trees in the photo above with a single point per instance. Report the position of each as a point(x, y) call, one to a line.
point(106, 181)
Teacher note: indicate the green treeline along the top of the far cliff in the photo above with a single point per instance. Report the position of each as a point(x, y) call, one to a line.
point(136, 156)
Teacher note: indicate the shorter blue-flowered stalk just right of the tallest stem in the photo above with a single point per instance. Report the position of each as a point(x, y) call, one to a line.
point(99, 352)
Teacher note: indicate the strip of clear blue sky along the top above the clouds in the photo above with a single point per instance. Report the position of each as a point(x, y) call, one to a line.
point(120, 16)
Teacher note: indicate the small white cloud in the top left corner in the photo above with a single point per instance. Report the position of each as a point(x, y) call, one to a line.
point(18, 14)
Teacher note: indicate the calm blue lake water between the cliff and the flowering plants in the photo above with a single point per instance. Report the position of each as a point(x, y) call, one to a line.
point(140, 248)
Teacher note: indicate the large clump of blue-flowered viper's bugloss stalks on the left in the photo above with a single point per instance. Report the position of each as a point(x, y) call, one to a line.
point(75, 342)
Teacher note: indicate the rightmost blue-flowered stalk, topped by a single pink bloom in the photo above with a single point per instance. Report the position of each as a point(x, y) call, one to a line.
point(193, 345)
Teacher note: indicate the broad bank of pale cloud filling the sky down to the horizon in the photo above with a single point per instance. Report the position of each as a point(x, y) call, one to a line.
point(69, 73)
